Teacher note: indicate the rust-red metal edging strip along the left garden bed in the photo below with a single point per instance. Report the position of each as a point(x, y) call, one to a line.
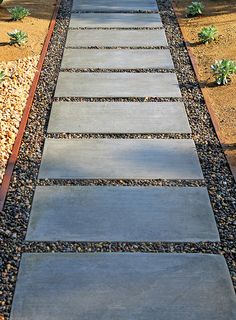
point(16, 147)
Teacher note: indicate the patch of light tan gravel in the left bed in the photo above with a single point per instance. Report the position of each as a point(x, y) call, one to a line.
point(14, 93)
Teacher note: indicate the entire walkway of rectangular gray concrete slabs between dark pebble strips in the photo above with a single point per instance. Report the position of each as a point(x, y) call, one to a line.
point(118, 95)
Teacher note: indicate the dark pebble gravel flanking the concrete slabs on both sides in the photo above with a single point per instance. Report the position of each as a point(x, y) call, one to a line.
point(218, 178)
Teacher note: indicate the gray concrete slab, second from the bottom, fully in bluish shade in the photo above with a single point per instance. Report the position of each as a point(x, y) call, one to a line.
point(90, 213)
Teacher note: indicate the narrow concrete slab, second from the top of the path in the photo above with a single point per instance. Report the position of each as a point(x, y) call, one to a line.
point(115, 20)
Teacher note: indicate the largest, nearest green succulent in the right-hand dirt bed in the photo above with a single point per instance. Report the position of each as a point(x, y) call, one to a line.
point(223, 69)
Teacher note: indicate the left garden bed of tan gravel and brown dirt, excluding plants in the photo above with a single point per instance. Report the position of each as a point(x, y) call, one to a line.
point(19, 64)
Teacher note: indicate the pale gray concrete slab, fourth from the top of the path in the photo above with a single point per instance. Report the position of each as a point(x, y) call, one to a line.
point(117, 59)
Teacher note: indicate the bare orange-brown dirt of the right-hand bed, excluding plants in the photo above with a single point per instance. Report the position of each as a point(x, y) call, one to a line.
point(221, 14)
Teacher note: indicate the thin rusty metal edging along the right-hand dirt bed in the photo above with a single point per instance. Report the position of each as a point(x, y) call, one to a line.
point(208, 102)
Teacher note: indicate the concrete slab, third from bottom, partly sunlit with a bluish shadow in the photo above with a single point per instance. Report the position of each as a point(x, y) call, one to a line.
point(120, 158)
